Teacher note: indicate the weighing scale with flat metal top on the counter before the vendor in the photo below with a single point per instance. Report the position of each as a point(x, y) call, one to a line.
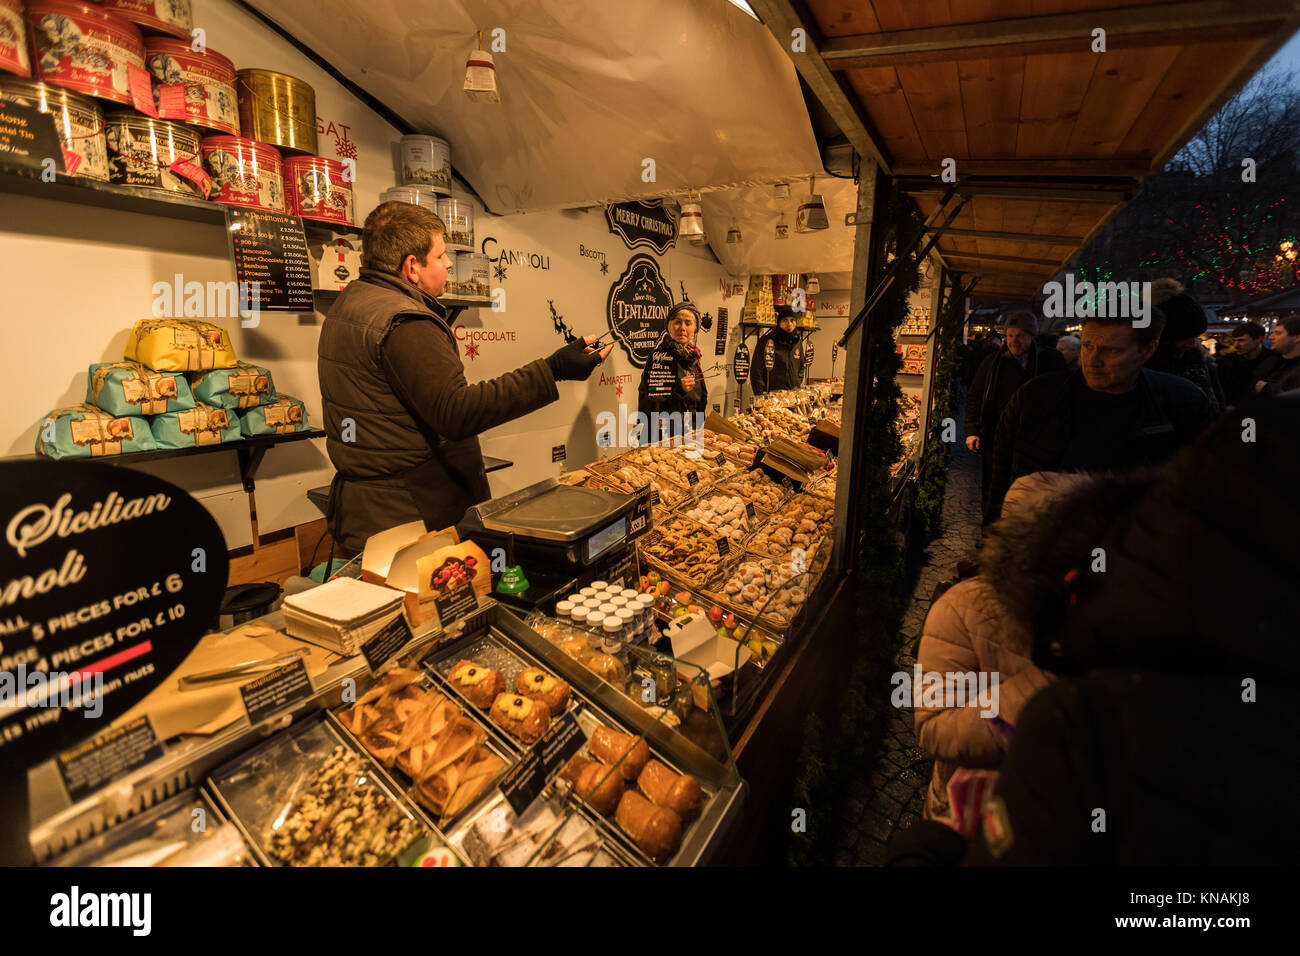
point(561, 535)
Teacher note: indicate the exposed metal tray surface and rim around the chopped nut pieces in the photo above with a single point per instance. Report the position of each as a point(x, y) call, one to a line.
point(248, 791)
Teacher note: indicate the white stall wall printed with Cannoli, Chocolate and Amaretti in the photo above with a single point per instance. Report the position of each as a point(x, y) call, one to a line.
point(77, 278)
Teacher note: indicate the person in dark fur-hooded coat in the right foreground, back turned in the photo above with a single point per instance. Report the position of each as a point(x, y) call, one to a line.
point(1171, 734)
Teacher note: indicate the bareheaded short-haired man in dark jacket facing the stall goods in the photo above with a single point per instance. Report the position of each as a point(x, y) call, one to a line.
point(1110, 414)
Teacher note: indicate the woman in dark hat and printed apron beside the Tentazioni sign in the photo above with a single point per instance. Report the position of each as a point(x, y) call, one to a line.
point(673, 382)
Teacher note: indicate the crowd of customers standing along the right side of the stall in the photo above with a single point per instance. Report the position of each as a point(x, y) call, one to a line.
point(1133, 592)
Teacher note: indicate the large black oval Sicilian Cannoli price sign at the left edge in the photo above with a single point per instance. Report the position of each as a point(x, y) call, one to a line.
point(109, 579)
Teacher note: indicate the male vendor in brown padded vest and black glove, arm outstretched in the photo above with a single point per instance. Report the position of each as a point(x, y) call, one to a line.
point(401, 419)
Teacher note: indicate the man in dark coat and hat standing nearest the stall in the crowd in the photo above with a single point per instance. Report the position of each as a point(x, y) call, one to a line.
point(998, 379)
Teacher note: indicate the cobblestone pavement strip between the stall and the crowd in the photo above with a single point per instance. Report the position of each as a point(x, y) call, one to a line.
point(891, 795)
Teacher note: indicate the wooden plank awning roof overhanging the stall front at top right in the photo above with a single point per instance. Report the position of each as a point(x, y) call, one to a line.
point(1050, 139)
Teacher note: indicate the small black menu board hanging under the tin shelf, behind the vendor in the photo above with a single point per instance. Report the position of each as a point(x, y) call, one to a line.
point(271, 250)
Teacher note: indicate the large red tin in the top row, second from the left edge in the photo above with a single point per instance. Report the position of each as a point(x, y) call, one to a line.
point(84, 49)
